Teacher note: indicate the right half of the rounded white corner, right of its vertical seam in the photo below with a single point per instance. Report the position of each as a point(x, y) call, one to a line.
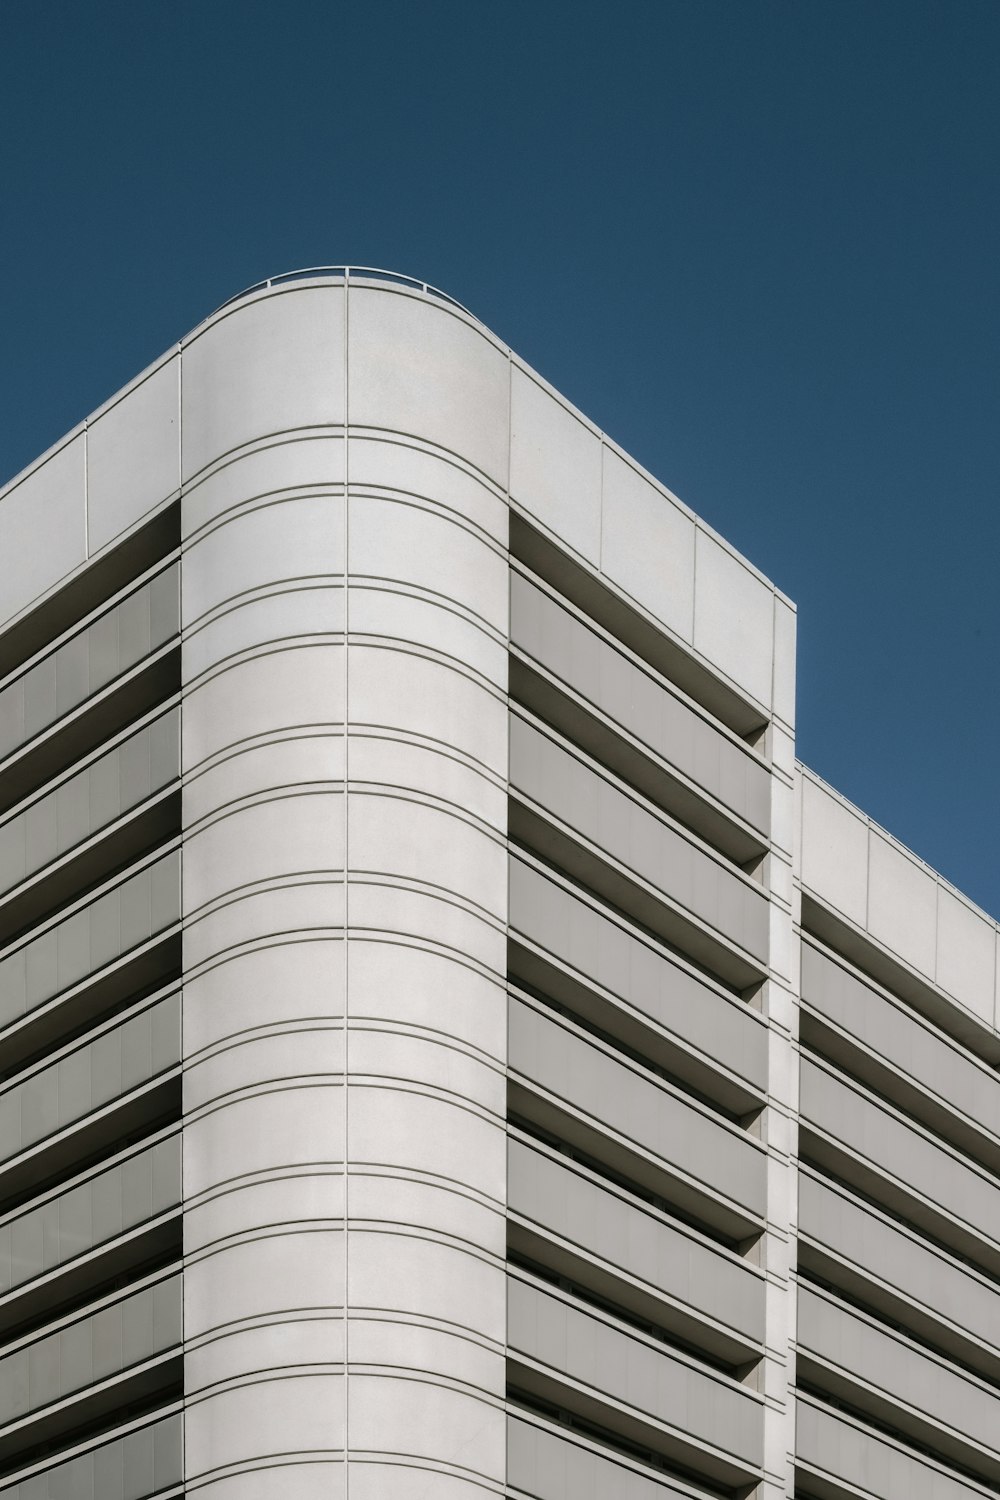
point(428, 587)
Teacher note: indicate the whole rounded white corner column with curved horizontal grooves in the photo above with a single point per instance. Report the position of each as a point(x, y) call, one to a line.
point(346, 899)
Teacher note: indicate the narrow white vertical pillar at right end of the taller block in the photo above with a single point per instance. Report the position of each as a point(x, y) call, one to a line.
point(783, 1079)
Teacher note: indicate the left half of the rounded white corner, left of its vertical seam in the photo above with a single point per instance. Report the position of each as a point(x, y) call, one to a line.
point(263, 898)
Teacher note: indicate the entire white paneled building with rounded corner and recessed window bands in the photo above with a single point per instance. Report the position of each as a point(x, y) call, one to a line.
point(449, 1046)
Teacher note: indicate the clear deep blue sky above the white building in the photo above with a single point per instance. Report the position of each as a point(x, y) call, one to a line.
point(755, 241)
